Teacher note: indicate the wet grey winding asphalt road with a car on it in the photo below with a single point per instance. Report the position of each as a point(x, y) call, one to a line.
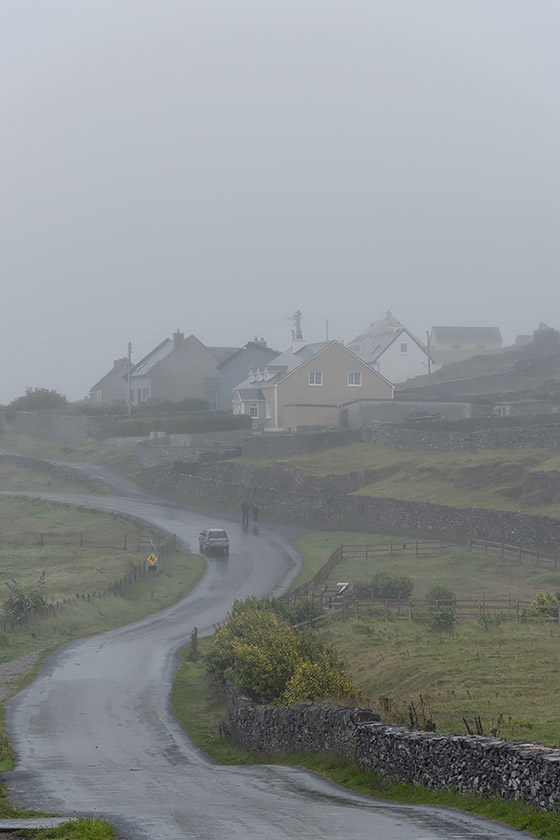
point(94, 734)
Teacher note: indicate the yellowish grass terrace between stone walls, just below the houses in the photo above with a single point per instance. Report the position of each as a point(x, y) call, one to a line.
point(431, 476)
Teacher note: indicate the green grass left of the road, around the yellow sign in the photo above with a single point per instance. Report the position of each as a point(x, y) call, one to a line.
point(71, 570)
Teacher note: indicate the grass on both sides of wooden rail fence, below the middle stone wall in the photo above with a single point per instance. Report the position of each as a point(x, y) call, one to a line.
point(470, 575)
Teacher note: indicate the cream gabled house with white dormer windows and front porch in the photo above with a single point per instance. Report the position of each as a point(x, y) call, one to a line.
point(306, 386)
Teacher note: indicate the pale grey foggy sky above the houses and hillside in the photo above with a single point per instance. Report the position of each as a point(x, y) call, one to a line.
point(215, 165)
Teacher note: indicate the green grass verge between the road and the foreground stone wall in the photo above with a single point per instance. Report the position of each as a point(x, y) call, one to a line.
point(203, 713)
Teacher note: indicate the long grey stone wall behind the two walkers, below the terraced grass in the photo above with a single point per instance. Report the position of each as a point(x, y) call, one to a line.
point(367, 511)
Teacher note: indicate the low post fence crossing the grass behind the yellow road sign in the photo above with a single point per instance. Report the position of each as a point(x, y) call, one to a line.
point(163, 546)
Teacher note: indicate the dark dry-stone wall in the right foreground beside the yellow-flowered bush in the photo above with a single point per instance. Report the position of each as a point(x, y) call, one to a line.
point(490, 766)
